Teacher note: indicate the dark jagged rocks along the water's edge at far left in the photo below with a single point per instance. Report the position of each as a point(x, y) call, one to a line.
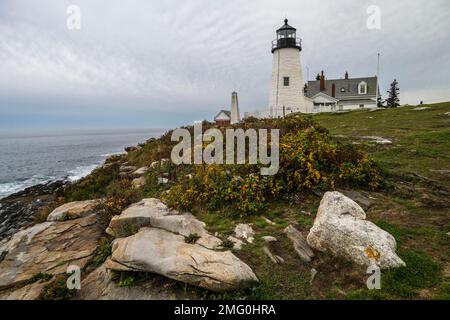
point(18, 209)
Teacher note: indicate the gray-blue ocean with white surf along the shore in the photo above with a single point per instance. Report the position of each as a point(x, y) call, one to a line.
point(30, 157)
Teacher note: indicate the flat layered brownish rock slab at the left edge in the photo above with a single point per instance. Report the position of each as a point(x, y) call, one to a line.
point(50, 248)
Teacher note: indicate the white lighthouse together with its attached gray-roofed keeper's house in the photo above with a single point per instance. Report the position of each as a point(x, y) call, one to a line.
point(290, 94)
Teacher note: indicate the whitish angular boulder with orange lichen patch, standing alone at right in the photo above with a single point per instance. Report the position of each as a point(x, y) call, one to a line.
point(341, 228)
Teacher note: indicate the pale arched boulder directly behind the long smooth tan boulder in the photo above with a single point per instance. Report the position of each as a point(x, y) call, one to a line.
point(154, 213)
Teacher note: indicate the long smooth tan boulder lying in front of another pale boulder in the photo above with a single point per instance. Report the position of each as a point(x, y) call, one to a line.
point(166, 253)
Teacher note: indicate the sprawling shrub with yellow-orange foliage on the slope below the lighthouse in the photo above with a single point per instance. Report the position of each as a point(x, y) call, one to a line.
point(308, 159)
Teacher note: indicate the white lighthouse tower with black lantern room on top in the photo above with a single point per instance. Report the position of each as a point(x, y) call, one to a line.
point(286, 95)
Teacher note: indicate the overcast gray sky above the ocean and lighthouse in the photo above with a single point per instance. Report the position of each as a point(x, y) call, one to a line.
point(139, 63)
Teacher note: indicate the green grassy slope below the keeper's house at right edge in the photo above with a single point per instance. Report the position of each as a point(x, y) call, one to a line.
point(421, 139)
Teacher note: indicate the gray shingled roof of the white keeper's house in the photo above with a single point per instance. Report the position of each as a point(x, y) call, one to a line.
point(350, 85)
